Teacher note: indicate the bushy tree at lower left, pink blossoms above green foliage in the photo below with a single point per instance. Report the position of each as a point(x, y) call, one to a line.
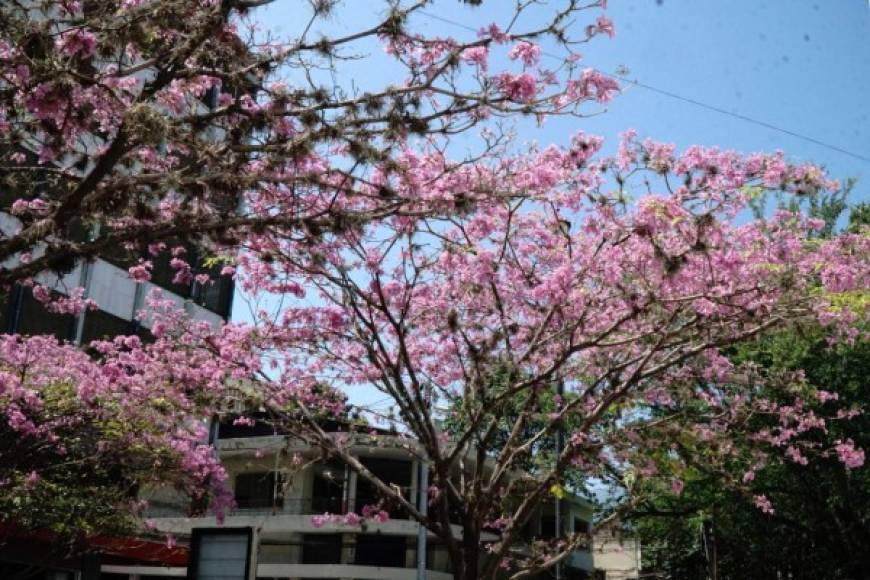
point(81, 438)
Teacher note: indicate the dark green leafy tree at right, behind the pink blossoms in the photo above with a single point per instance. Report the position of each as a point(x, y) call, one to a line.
point(819, 525)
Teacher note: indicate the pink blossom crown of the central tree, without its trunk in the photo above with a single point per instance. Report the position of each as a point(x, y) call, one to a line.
point(571, 267)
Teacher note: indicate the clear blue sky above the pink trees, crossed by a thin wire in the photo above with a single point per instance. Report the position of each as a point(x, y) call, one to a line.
point(801, 65)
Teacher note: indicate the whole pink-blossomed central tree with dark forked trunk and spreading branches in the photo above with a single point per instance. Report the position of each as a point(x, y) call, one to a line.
point(473, 318)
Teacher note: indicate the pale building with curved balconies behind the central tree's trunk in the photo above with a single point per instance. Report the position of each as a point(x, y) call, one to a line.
point(282, 499)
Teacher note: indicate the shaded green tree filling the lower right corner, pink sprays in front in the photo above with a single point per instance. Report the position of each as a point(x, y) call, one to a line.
point(815, 527)
